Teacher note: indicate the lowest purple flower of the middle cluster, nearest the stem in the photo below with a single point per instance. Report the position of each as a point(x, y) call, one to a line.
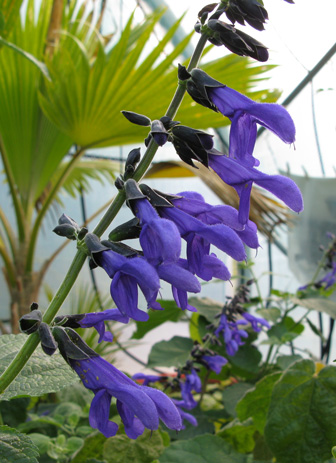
point(127, 274)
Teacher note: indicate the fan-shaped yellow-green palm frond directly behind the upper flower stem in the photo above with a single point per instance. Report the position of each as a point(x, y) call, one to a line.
point(86, 95)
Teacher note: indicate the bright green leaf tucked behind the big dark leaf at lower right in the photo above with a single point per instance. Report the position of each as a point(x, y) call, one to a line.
point(256, 402)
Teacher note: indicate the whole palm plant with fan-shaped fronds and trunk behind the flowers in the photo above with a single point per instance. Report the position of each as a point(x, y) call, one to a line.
point(64, 85)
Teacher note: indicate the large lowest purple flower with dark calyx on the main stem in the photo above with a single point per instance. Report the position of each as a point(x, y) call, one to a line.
point(139, 407)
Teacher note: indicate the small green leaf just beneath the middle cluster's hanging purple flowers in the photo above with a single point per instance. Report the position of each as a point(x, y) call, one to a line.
point(170, 313)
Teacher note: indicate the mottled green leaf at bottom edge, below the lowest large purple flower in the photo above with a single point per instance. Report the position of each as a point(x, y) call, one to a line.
point(144, 449)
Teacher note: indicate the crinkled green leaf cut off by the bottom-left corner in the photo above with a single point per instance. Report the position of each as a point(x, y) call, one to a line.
point(17, 447)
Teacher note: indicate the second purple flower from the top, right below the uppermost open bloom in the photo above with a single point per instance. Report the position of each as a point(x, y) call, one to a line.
point(241, 177)
